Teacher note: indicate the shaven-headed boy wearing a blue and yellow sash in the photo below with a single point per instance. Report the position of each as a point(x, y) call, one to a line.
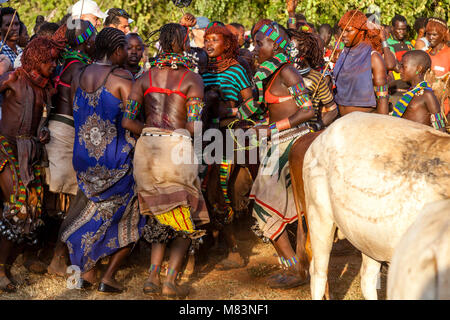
point(419, 104)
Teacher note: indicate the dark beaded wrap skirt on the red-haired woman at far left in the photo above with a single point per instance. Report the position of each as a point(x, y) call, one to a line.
point(21, 217)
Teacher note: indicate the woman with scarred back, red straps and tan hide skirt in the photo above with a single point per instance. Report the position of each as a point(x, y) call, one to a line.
point(169, 96)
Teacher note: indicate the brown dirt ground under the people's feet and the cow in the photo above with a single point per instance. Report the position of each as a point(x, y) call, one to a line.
point(207, 283)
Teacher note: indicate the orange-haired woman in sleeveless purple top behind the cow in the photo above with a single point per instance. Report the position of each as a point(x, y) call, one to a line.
point(360, 73)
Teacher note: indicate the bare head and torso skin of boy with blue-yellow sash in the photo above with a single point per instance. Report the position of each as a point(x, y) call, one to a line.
point(421, 106)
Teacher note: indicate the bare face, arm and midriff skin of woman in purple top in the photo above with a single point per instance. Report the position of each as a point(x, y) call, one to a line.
point(351, 38)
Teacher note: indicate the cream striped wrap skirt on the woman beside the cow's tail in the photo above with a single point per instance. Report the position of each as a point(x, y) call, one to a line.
point(274, 206)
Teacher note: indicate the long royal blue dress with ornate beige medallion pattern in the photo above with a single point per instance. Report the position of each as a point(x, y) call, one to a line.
point(102, 159)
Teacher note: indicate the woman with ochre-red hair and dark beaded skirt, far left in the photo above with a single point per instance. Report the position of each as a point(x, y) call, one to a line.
point(27, 93)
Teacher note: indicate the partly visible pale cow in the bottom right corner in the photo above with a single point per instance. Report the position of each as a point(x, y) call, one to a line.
point(420, 267)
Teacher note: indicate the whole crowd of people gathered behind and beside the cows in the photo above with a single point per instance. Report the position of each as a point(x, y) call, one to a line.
point(90, 123)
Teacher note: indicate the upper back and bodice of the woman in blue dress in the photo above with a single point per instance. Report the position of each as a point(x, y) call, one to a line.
point(100, 140)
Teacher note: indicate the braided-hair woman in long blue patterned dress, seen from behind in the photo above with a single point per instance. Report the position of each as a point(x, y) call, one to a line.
point(104, 219)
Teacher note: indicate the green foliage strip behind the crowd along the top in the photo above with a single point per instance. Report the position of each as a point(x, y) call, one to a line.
point(152, 14)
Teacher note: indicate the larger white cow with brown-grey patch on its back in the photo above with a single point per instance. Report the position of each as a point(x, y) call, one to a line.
point(370, 175)
